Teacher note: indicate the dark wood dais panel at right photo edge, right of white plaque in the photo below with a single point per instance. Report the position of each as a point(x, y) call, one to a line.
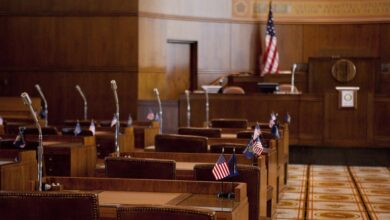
point(381, 127)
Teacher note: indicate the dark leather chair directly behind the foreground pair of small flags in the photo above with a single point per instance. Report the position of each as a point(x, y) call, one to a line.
point(247, 174)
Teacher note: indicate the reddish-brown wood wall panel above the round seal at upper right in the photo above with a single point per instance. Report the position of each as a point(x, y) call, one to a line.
point(341, 40)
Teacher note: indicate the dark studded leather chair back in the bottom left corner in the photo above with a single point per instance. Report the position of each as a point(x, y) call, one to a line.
point(48, 205)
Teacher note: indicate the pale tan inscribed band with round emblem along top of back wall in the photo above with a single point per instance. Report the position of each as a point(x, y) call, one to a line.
point(319, 11)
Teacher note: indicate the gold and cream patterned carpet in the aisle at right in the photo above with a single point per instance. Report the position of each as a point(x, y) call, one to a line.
point(335, 192)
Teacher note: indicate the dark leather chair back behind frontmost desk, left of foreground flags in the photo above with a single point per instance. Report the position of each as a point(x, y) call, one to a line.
point(140, 168)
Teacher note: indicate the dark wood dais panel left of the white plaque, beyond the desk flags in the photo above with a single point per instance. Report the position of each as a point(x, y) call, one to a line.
point(311, 120)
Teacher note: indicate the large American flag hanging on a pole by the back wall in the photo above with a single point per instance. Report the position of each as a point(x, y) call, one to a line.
point(271, 55)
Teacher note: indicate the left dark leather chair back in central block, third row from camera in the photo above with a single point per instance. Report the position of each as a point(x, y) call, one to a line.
point(180, 143)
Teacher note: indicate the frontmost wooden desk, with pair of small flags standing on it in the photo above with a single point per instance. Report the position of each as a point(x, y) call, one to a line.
point(115, 192)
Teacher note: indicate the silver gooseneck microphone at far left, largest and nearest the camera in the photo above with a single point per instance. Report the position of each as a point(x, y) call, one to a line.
point(27, 101)
